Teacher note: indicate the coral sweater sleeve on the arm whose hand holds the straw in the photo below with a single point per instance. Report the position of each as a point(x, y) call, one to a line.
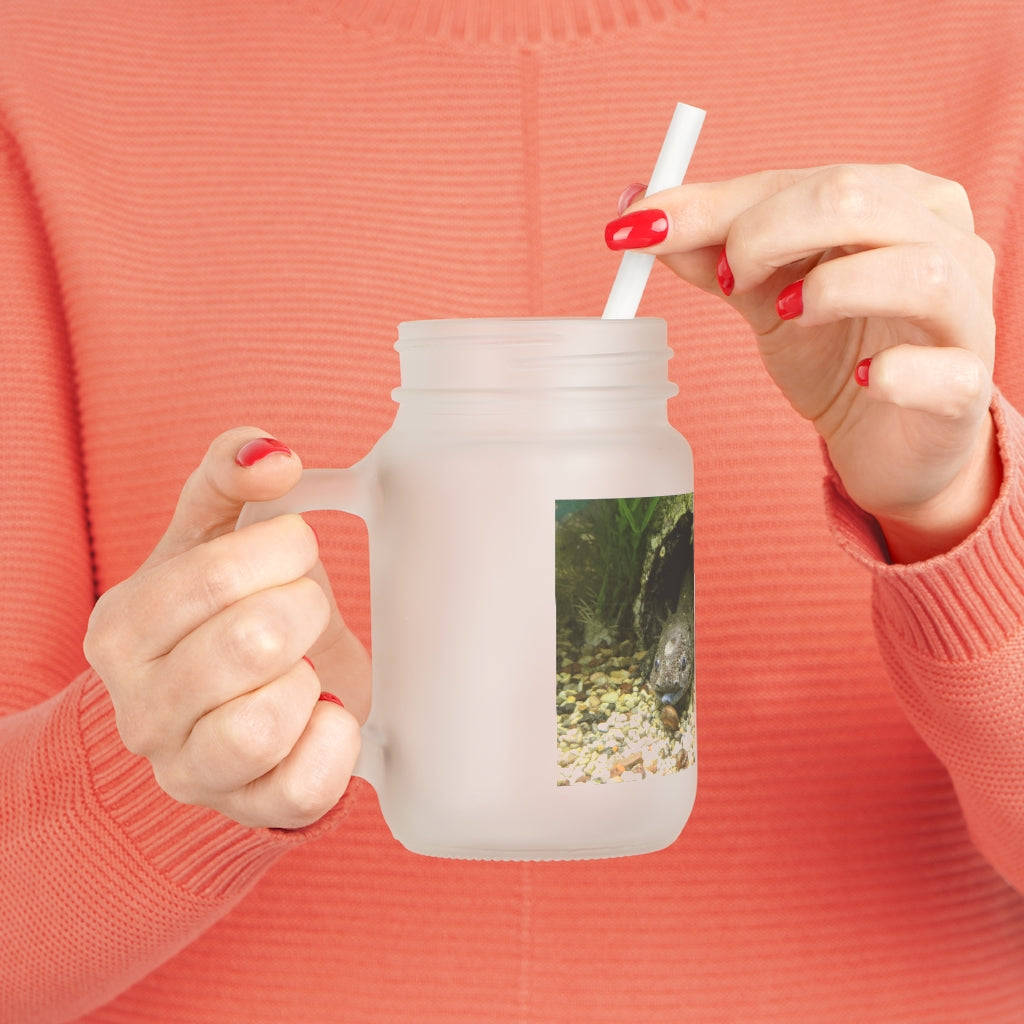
point(952, 632)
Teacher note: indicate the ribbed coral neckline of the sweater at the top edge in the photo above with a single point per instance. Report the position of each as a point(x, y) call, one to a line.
point(518, 22)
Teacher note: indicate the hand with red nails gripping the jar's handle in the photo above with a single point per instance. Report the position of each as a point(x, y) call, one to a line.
point(203, 651)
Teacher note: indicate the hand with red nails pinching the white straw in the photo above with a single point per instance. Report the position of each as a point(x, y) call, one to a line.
point(871, 298)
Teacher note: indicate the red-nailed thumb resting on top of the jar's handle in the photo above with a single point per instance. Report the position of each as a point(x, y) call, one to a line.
point(242, 465)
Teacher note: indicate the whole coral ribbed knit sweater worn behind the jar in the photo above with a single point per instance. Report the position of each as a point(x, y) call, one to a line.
point(216, 214)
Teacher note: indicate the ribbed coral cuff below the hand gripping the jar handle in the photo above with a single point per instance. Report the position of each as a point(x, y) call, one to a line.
point(194, 848)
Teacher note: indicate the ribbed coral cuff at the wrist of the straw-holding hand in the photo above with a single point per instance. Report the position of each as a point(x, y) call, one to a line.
point(964, 604)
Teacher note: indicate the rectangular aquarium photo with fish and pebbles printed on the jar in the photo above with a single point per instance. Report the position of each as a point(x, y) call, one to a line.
point(624, 672)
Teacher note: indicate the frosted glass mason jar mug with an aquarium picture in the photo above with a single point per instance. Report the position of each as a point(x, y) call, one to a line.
point(530, 516)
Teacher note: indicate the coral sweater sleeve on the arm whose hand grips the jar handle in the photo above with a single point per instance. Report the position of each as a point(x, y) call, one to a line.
point(103, 877)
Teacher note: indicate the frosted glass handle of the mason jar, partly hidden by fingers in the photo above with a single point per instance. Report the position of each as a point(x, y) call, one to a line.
point(333, 491)
